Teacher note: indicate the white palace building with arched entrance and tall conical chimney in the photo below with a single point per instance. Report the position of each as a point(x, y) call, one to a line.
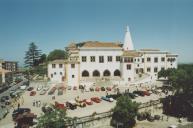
point(94, 62)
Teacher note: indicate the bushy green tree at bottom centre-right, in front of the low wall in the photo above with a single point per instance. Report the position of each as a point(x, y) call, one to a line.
point(124, 113)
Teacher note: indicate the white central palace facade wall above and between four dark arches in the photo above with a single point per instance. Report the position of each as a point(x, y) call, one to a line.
point(101, 67)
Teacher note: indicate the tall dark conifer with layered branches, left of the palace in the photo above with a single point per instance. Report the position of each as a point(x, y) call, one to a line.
point(32, 56)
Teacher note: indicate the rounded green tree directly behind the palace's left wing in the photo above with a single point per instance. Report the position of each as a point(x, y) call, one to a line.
point(57, 54)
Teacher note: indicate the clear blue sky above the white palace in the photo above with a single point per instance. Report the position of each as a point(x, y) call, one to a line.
point(52, 24)
